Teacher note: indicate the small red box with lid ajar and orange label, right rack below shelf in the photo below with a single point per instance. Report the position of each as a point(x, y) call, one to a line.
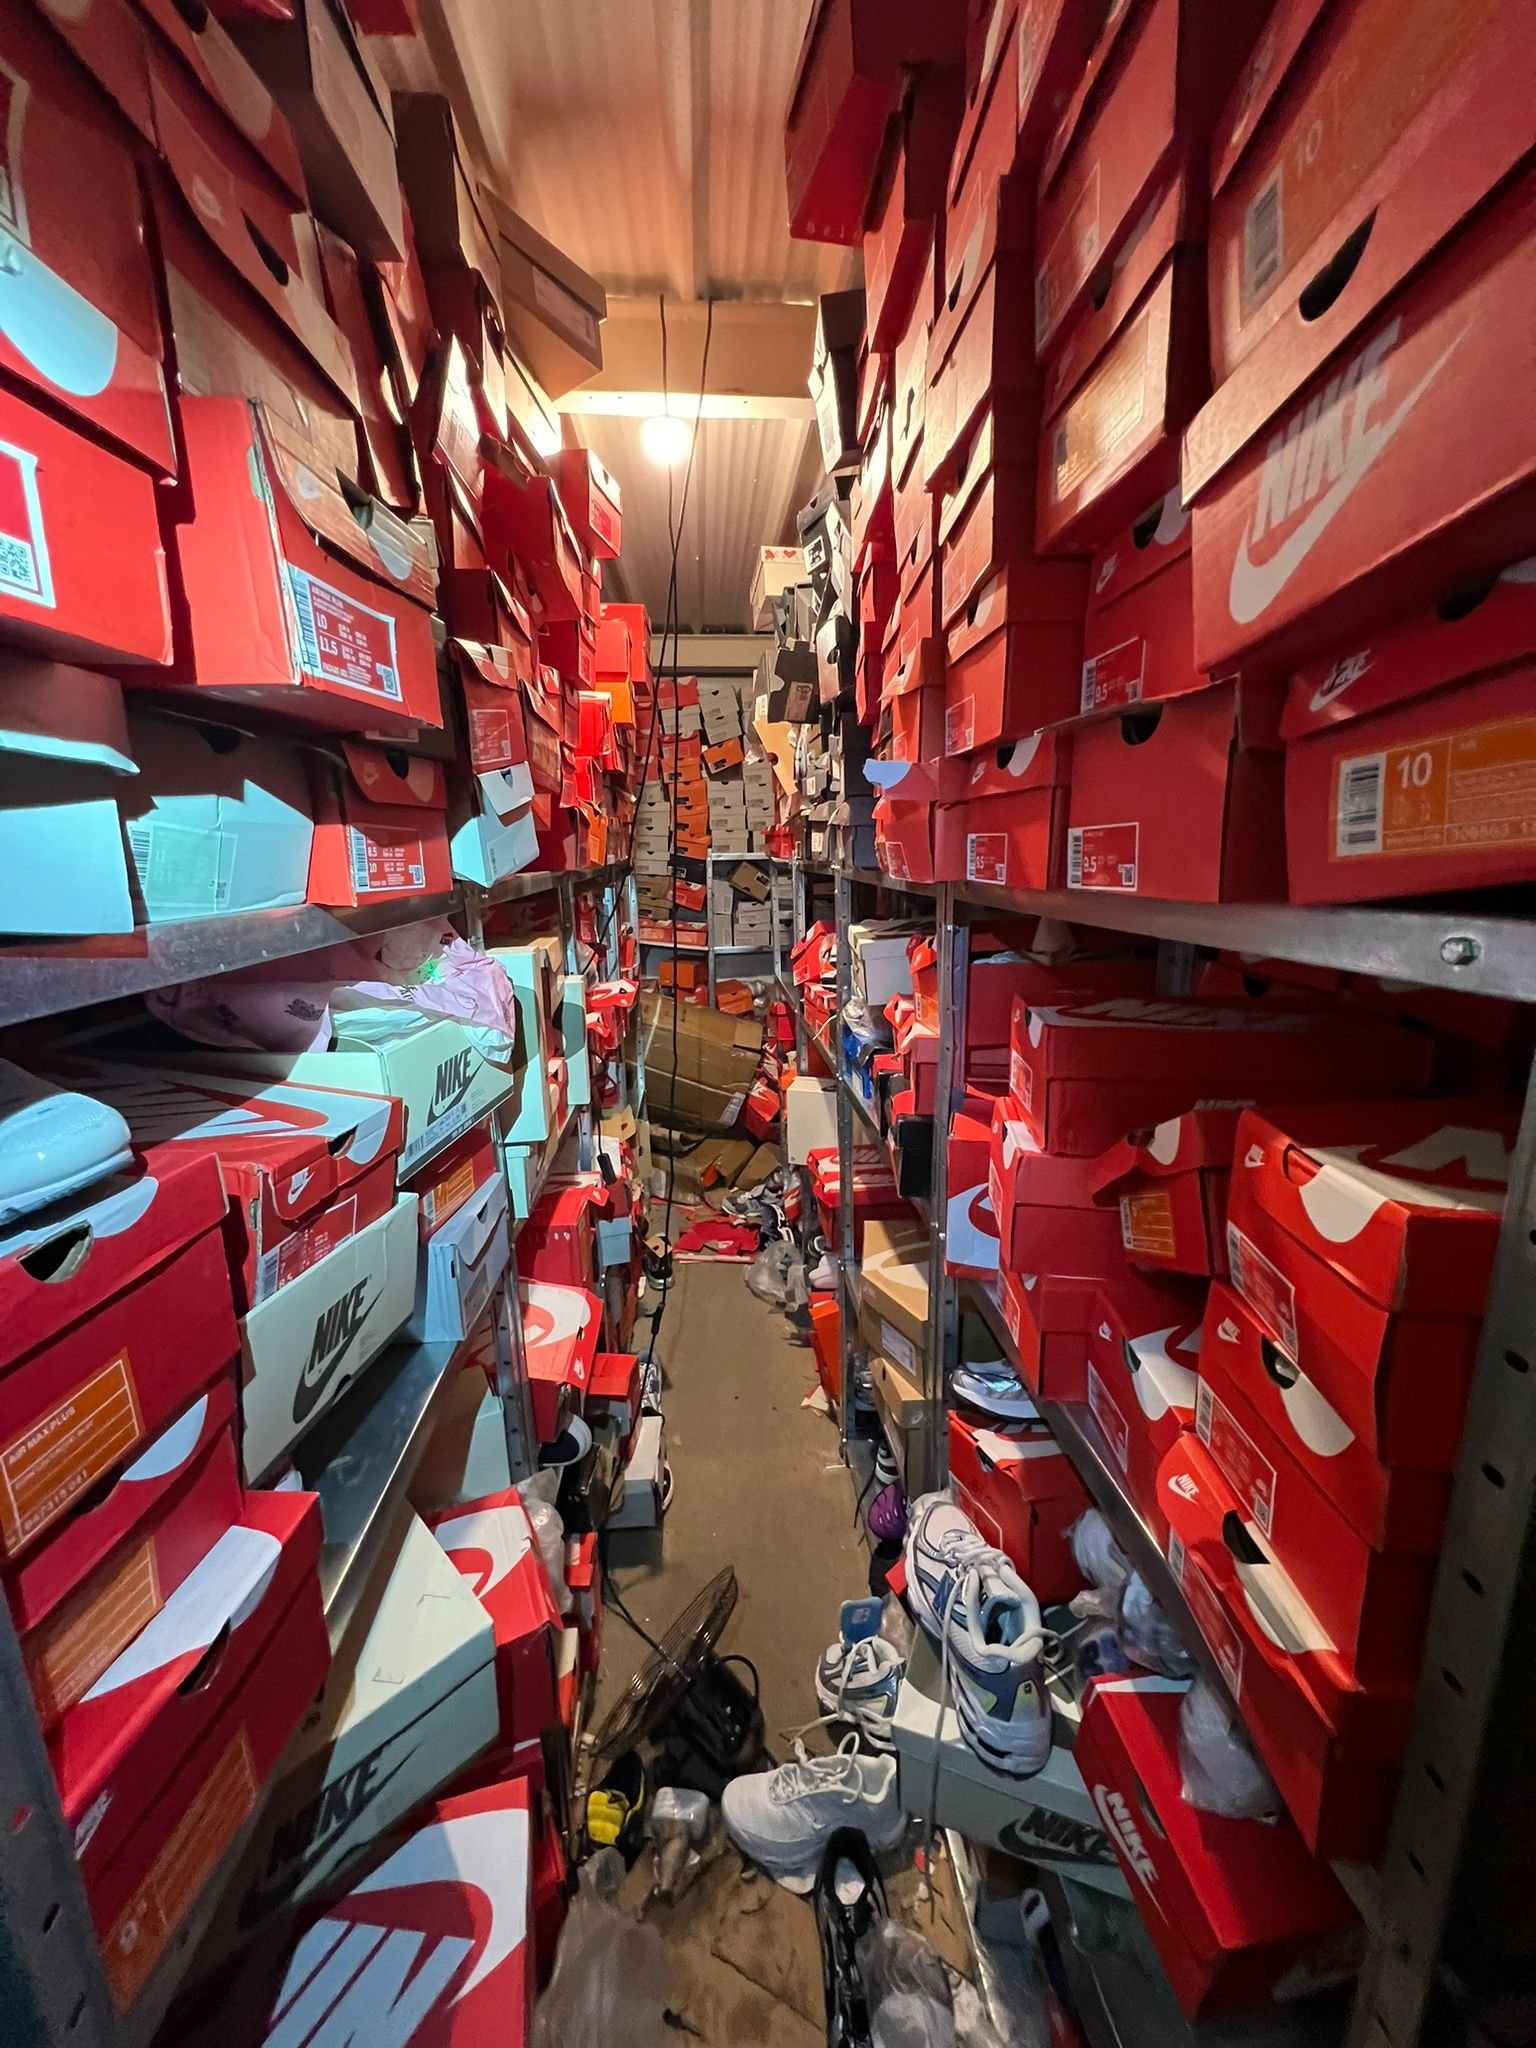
point(1170, 1191)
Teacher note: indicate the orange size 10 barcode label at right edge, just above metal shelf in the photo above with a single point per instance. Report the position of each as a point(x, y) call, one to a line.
point(1455, 794)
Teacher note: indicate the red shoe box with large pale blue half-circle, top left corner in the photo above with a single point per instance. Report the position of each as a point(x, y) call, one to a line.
point(83, 323)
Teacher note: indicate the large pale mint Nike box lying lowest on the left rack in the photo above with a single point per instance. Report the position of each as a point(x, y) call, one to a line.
point(400, 1717)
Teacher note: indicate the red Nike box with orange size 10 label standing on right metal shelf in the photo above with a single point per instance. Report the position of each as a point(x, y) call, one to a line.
point(1396, 746)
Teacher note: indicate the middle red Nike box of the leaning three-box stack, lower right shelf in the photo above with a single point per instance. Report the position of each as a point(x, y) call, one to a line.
point(1371, 1598)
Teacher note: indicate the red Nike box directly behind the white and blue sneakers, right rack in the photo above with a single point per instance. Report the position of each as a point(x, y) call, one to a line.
point(1023, 1494)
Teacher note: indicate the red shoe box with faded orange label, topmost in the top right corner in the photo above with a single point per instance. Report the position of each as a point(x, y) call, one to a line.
point(1359, 138)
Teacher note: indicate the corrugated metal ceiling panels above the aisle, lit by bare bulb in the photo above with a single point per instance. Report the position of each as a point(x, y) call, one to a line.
point(646, 140)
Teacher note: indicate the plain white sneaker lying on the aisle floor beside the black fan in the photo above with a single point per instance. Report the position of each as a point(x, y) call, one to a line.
point(783, 1820)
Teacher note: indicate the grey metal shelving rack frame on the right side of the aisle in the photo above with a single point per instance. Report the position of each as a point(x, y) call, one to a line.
point(1453, 1904)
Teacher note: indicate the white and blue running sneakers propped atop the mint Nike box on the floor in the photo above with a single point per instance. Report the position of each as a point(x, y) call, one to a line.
point(986, 1625)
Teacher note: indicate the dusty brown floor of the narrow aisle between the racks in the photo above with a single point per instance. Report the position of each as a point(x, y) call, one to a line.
point(759, 1486)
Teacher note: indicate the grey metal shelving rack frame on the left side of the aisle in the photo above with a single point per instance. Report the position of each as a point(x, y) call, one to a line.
point(361, 1459)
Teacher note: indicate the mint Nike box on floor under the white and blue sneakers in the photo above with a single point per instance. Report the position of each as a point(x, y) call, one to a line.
point(1043, 1820)
